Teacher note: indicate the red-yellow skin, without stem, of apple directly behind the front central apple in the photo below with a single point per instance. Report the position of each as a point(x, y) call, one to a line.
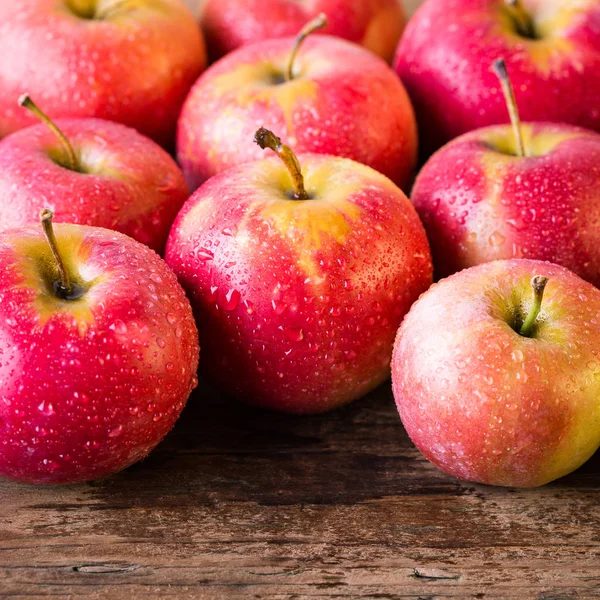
point(344, 102)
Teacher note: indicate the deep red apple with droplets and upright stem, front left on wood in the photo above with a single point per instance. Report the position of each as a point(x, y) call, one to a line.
point(98, 352)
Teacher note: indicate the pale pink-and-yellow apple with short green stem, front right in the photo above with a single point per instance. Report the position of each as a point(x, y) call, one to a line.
point(497, 384)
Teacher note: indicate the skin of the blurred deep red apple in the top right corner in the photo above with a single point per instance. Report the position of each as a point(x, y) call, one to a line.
point(444, 59)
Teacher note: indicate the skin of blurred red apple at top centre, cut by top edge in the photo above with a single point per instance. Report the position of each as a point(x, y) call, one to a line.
point(375, 24)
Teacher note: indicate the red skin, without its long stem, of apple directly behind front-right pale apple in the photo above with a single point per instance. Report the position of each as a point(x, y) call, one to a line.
point(480, 202)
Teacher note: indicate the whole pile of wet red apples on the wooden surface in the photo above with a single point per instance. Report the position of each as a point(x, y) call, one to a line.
point(298, 265)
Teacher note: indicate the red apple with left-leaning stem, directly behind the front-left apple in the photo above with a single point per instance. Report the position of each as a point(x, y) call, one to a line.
point(90, 172)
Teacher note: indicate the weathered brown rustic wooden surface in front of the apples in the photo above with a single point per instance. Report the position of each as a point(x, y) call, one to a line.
point(239, 503)
